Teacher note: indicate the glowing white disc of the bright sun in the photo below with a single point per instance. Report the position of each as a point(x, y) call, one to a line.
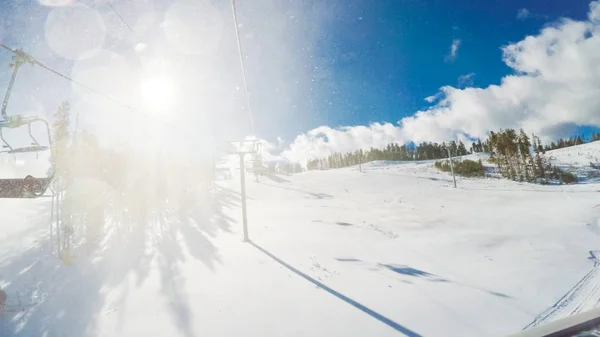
point(158, 94)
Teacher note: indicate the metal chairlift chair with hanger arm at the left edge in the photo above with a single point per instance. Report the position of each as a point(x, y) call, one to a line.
point(28, 187)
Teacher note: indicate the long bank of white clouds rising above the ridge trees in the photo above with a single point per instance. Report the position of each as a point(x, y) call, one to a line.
point(555, 85)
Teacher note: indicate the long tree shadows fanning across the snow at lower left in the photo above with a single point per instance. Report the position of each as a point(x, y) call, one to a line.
point(152, 224)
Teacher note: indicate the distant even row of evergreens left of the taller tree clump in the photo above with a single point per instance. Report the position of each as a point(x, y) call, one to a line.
point(394, 151)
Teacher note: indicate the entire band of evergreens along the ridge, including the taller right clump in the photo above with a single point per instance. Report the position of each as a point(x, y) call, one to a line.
point(516, 155)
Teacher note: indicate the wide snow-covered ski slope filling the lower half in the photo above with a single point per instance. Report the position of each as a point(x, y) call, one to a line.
point(393, 250)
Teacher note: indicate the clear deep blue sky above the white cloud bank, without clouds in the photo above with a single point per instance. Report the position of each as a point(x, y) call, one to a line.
point(387, 56)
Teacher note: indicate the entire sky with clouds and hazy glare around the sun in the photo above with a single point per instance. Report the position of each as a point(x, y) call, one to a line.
point(316, 66)
